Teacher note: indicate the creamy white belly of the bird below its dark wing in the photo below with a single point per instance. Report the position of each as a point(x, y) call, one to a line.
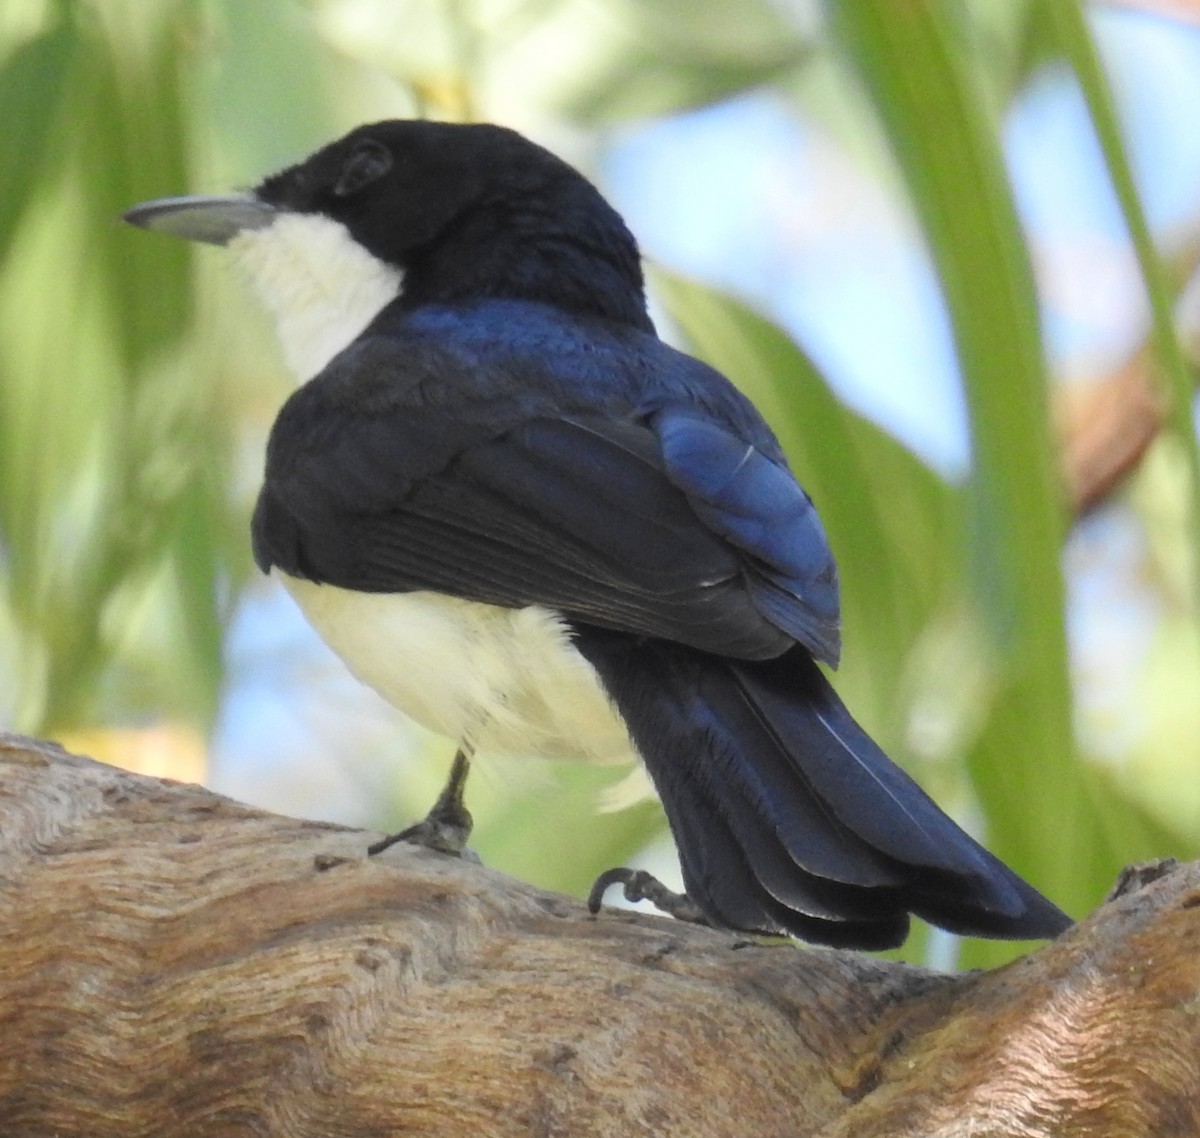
point(507, 681)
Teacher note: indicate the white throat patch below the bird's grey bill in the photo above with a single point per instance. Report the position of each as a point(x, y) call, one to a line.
point(322, 288)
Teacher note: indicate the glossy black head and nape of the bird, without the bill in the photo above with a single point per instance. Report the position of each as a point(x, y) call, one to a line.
point(469, 212)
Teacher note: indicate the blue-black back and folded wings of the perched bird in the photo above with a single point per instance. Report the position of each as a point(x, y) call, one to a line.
point(514, 480)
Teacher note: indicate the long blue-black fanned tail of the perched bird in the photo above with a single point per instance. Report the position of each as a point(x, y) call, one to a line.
point(788, 817)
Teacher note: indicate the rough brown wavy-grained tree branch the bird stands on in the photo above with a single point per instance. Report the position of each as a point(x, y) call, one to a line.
point(177, 965)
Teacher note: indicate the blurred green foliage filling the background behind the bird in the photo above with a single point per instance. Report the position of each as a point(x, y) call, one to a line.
point(136, 386)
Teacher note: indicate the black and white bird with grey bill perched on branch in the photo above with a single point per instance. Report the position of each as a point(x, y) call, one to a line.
point(539, 530)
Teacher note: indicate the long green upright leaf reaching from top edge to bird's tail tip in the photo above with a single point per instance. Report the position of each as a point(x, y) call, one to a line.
point(946, 143)
